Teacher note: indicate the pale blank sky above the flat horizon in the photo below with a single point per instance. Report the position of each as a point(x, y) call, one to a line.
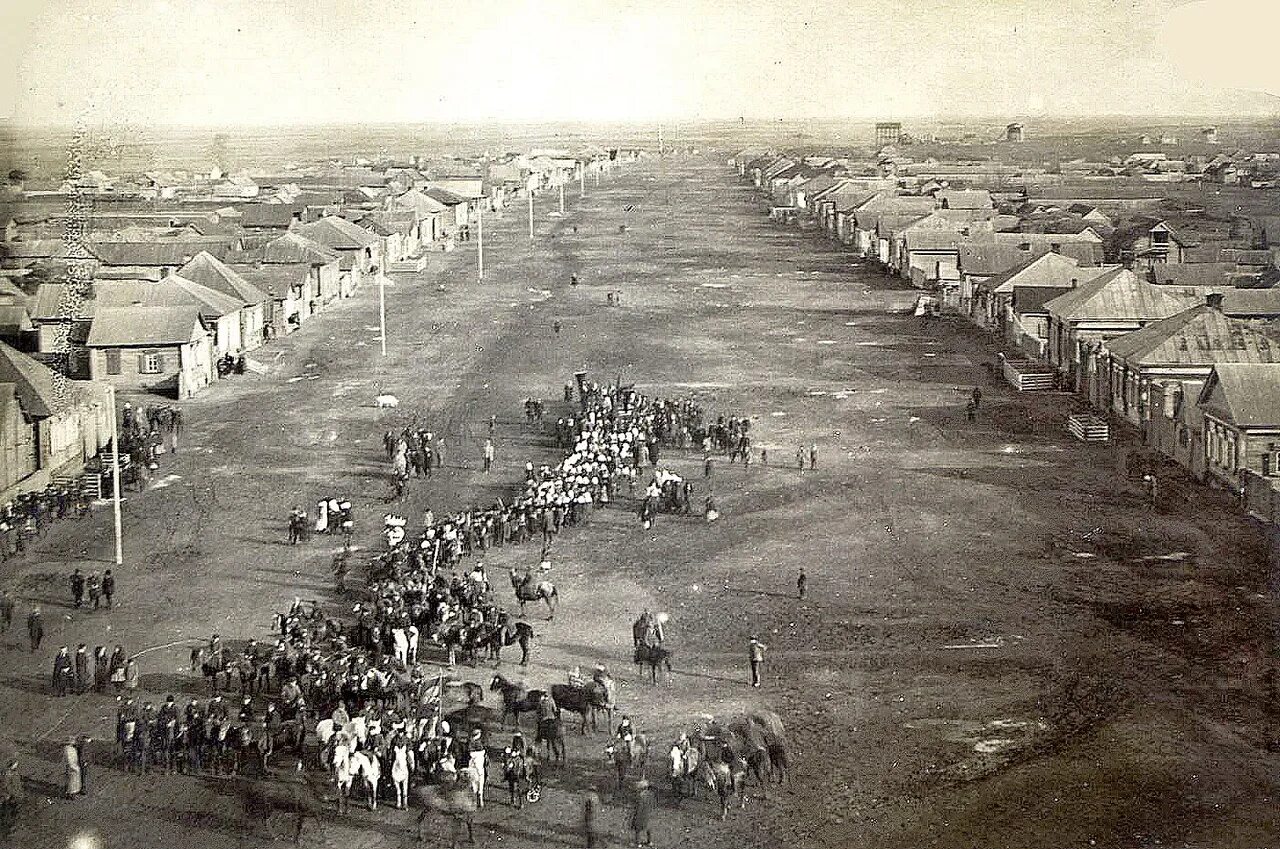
point(298, 62)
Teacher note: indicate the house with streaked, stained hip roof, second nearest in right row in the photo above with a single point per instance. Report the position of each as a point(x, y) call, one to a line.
point(1180, 349)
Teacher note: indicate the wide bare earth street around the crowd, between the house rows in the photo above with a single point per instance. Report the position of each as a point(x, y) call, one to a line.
point(985, 660)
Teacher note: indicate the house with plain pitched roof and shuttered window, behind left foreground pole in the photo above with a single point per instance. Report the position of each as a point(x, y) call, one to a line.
point(170, 353)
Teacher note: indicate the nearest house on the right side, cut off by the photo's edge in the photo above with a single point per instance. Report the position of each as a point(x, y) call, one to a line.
point(1241, 404)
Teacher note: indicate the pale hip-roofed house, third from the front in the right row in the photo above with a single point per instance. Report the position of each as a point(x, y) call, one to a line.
point(1110, 305)
